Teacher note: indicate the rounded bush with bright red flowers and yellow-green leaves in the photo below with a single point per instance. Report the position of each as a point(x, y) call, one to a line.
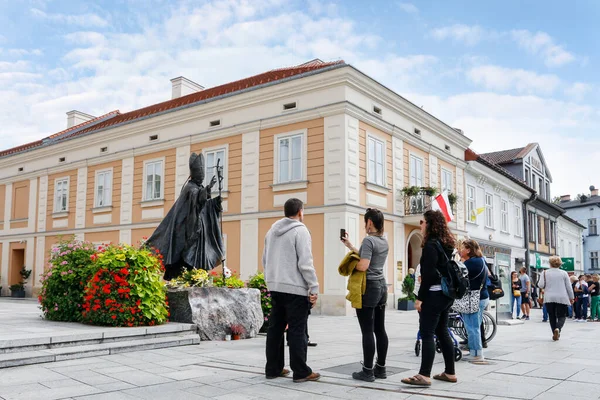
point(126, 289)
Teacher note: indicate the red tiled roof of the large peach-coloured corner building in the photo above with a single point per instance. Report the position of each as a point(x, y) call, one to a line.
point(116, 118)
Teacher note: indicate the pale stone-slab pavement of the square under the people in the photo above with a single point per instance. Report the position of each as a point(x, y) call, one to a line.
point(524, 363)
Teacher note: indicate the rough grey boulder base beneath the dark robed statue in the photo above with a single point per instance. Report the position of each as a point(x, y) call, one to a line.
point(215, 310)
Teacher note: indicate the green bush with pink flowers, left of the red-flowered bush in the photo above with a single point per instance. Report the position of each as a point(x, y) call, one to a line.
point(64, 280)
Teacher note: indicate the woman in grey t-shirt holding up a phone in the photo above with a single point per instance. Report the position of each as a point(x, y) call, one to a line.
point(371, 317)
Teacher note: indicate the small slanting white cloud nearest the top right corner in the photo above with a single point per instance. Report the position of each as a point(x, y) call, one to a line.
point(541, 43)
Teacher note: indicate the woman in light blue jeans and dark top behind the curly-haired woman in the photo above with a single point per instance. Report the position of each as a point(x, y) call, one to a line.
point(478, 273)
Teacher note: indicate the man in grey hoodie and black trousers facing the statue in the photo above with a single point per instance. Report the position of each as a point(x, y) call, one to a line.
point(292, 281)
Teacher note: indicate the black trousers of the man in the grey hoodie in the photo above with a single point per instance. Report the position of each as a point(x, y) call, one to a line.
point(291, 310)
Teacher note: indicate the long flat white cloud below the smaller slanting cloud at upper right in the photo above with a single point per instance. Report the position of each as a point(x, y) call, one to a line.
point(506, 79)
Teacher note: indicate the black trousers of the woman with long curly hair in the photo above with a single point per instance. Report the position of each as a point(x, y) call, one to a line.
point(433, 320)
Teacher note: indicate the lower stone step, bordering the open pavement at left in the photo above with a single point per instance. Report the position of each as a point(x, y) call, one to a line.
point(93, 350)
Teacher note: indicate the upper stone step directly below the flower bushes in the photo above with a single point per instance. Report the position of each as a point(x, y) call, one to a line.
point(96, 336)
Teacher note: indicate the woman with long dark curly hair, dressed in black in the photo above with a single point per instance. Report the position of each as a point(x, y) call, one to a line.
point(433, 305)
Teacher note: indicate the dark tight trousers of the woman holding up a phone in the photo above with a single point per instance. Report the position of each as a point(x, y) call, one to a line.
point(371, 318)
